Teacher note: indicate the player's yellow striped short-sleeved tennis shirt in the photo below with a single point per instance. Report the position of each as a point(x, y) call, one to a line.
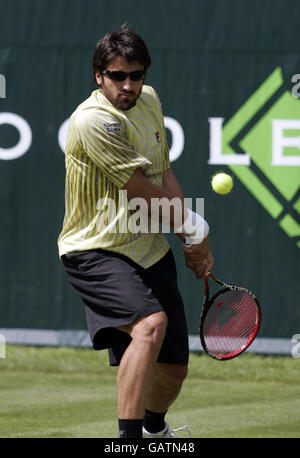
point(104, 147)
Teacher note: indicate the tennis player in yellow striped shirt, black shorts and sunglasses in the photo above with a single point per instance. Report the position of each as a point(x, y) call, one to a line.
point(117, 152)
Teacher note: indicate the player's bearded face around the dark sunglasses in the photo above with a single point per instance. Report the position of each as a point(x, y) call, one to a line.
point(122, 94)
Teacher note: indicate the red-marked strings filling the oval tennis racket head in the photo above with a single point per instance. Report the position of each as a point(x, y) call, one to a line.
point(230, 323)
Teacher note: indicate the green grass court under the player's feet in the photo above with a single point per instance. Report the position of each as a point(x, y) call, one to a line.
point(62, 392)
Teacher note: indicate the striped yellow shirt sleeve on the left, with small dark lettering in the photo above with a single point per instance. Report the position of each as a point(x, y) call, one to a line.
point(104, 139)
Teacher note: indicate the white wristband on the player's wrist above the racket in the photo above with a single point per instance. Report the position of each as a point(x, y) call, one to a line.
point(194, 227)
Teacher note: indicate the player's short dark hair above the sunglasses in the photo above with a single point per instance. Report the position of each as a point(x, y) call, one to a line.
point(124, 42)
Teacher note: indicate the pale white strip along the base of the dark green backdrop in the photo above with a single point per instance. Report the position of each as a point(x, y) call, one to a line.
point(80, 338)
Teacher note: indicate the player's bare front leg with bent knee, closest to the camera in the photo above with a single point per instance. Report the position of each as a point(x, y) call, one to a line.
point(136, 369)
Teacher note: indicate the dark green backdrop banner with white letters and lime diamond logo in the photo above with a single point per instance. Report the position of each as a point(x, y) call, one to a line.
point(228, 76)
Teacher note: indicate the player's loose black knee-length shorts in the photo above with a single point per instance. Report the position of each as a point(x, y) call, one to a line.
point(117, 291)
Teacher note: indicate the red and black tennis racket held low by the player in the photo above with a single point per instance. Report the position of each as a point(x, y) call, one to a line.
point(229, 321)
